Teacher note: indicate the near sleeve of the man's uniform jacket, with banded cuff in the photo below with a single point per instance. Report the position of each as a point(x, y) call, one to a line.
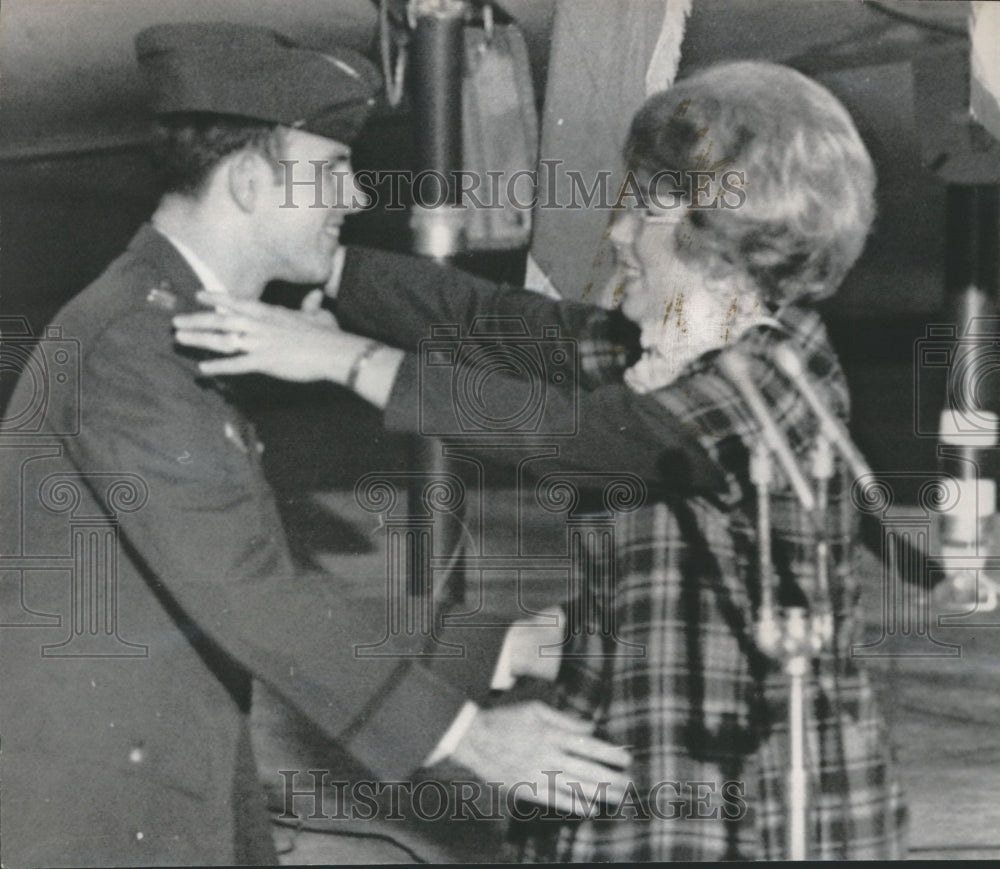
point(210, 541)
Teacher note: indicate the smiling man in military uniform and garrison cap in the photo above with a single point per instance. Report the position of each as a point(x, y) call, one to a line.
point(128, 744)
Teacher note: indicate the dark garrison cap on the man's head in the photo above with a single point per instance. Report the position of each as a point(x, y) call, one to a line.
point(254, 72)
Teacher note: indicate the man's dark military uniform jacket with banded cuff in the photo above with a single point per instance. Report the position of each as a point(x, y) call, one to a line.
point(146, 579)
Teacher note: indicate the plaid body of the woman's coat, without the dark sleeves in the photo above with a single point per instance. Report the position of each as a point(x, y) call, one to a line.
point(704, 709)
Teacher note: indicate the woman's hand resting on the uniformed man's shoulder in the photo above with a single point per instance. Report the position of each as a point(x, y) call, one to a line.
point(301, 346)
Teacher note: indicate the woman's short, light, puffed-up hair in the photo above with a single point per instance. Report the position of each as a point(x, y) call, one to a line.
point(809, 181)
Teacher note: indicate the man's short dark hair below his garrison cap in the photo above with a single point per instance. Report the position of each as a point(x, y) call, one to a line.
point(187, 146)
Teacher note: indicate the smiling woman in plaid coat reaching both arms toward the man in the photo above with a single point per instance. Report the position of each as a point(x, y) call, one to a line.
point(750, 197)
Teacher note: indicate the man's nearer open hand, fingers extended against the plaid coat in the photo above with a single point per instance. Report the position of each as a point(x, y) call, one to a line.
point(545, 756)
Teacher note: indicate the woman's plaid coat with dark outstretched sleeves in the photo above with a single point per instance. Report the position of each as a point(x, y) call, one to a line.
point(703, 709)
